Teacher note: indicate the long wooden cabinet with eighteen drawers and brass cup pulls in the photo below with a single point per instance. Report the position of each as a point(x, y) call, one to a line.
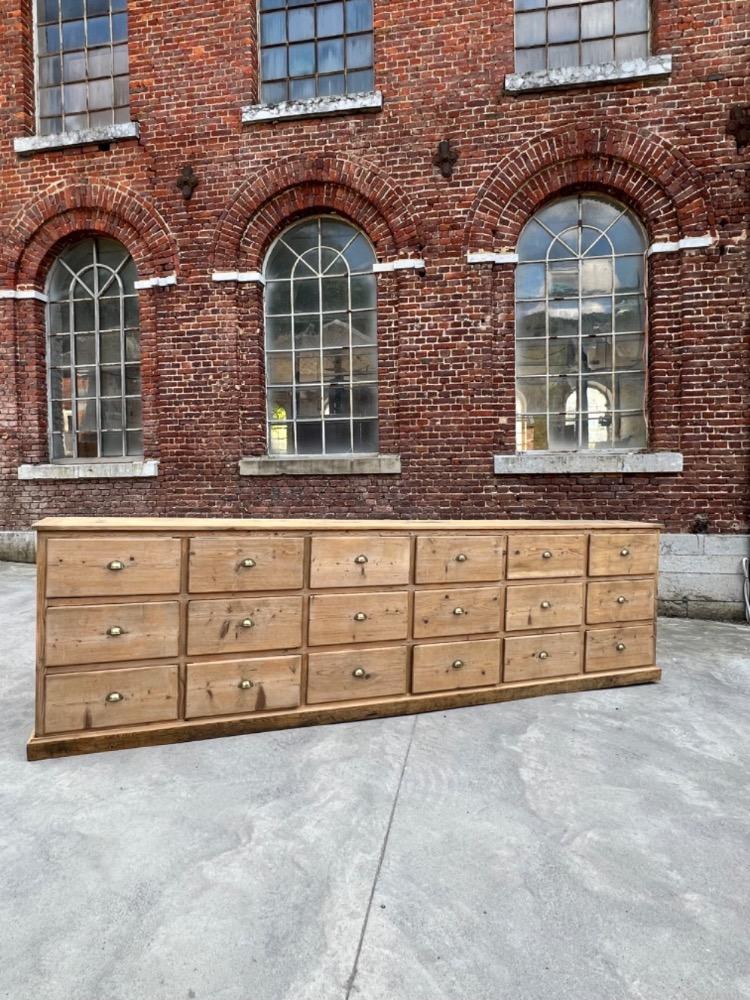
point(153, 631)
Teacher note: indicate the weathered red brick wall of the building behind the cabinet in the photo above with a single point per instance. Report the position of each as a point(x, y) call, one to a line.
point(447, 337)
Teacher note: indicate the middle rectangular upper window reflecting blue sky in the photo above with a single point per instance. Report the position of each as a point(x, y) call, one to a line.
point(315, 49)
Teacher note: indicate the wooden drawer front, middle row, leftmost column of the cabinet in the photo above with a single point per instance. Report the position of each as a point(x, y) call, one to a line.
point(108, 633)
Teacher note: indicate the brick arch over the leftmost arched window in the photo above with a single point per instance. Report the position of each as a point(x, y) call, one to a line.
point(27, 247)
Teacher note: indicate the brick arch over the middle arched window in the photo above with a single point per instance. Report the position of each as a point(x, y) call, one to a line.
point(266, 203)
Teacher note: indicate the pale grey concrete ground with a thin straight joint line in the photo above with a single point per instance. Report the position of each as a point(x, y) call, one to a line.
point(578, 847)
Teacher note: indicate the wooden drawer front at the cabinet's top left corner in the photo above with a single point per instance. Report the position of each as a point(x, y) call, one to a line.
point(112, 566)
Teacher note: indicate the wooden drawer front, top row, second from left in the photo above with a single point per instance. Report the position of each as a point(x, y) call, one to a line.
point(246, 563)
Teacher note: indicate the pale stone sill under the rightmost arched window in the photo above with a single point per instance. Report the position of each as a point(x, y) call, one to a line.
point(549, 463)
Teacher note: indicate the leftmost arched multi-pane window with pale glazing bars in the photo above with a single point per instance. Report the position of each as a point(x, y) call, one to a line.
point(93, 353)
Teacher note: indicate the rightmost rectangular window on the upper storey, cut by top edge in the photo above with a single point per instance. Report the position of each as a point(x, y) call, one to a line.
point(553, 34)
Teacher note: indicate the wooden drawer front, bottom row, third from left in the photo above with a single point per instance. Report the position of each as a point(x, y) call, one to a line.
point(362, 673)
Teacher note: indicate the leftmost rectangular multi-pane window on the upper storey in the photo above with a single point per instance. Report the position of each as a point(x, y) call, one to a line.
point(82, 64)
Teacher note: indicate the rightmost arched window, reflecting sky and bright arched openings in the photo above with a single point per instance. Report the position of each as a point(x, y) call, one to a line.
point(580, 328)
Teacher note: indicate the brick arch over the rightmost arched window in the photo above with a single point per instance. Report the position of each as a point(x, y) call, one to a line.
point(657, 181)
